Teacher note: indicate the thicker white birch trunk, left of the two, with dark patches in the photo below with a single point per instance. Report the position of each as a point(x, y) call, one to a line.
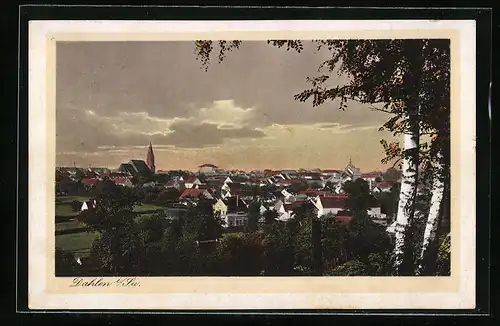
point(406, 207)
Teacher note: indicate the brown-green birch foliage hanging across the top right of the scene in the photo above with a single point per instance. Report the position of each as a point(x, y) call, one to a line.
point(380, 72)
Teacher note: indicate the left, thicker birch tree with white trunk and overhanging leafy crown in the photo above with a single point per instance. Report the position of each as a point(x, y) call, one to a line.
point(409, 78)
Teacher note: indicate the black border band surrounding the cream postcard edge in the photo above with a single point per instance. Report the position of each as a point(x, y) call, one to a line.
point(483, 19)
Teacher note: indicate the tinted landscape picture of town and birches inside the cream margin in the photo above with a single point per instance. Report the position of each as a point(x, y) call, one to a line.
point(253, 158)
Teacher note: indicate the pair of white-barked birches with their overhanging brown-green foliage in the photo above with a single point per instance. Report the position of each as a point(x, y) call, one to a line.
point(410, 80)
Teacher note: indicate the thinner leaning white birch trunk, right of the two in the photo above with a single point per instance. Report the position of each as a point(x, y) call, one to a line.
point(435, 208)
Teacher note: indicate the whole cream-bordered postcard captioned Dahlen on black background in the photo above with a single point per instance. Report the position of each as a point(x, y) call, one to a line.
point(235, 165)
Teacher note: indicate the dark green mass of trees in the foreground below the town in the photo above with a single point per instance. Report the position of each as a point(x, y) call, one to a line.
point(194, 243)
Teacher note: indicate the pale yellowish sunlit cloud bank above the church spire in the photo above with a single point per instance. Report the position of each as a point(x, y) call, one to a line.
point(86, 131)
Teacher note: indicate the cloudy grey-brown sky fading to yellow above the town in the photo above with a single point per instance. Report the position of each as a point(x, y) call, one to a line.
point(113, 98)
